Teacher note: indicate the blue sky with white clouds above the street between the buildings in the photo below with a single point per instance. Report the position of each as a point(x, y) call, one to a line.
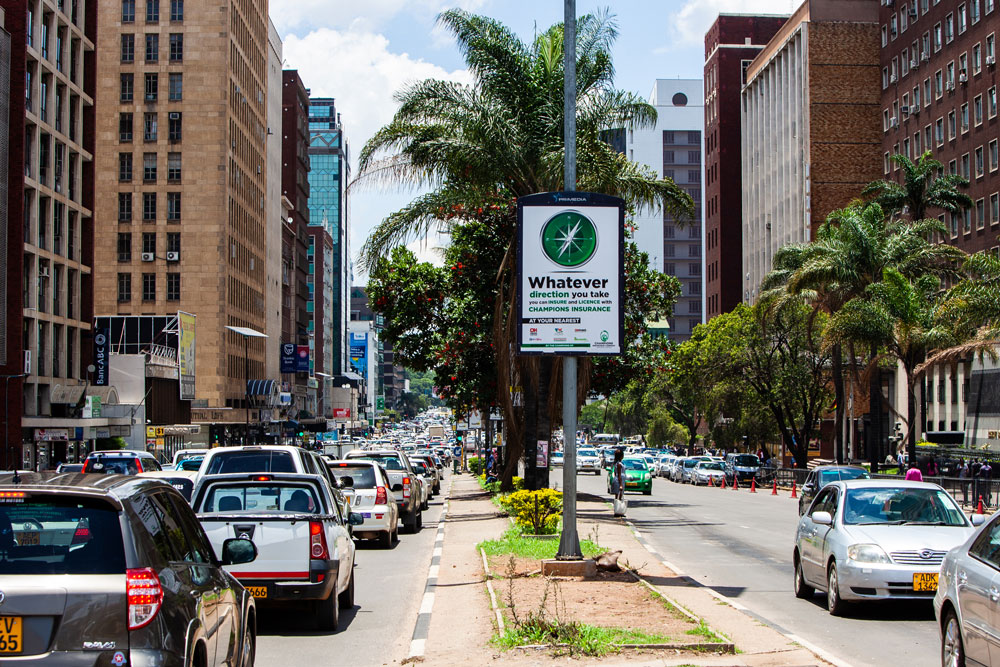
point(360, 53)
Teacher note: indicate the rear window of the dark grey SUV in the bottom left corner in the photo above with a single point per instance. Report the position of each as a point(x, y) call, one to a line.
point(66, 535)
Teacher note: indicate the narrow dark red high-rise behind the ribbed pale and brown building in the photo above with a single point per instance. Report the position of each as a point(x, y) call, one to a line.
point(732, 42)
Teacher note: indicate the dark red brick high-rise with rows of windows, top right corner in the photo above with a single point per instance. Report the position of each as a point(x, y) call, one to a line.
point(939, 94)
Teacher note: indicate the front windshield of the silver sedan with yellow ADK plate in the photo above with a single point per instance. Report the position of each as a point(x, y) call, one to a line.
point(901, 505)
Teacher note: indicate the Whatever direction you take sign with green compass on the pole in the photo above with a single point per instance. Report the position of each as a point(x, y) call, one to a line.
point(570, 273)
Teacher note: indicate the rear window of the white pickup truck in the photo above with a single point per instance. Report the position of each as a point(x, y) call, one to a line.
point(258, 497)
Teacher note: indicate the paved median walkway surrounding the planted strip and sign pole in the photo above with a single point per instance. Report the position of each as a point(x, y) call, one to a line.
point(461, 623)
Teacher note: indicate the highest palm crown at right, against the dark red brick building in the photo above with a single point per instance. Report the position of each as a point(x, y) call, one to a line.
point(924, 187)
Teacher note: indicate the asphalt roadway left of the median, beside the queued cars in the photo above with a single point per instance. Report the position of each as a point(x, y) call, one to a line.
point(389, 586)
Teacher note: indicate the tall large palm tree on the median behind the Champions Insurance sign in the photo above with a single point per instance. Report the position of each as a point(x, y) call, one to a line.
point(502, 137)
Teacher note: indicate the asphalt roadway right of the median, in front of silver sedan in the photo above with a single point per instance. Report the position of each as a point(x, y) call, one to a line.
point(740, 544)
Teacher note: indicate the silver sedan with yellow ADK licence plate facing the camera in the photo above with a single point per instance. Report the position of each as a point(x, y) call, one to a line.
point(876, 540)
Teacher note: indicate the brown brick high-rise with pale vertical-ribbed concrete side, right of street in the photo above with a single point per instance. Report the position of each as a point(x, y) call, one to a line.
point(810, 129)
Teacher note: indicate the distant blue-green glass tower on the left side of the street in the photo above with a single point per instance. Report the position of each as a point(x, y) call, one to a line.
point(329, 174)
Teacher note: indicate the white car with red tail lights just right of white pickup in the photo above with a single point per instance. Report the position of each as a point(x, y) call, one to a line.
point(366, 489)
